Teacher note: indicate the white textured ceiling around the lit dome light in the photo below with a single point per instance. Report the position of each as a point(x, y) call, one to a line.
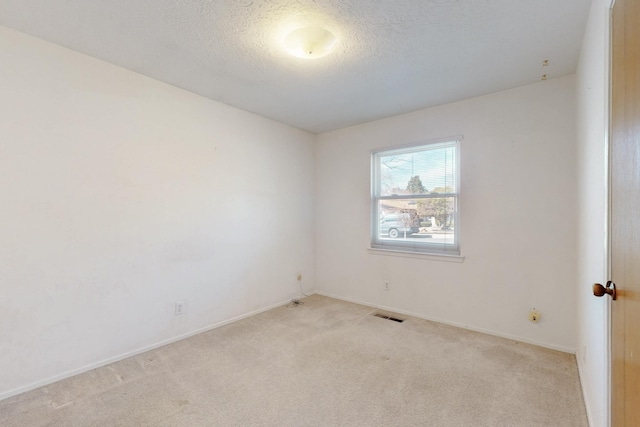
point(392, 56)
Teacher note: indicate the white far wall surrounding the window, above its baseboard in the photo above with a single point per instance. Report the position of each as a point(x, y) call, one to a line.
point(518, 209)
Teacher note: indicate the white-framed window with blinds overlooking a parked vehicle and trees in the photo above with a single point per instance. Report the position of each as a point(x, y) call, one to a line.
point(414, 201)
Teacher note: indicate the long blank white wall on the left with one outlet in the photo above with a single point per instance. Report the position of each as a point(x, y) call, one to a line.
point(120, 195)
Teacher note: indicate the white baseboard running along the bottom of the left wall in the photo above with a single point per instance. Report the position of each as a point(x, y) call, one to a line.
point(74, 372)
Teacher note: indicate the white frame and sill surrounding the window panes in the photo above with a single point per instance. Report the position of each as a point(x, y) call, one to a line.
point(409, 249)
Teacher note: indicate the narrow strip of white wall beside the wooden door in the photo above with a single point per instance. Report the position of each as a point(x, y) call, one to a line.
point(592, 126)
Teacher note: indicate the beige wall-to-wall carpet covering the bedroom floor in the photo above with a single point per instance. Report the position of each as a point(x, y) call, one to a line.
point(323, 363)
